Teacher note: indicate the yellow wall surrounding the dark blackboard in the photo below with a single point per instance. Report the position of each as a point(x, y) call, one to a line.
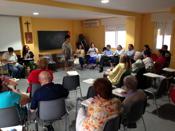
point(39, 24)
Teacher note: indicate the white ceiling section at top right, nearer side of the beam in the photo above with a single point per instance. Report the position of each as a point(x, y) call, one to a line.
point(140, 6)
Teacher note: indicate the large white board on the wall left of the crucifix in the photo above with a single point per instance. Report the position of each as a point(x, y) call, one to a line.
point(10, 33)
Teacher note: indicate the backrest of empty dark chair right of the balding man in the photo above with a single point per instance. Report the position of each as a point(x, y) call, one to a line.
point(71, 82)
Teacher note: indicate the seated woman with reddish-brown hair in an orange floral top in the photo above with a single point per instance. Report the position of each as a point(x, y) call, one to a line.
point(100, 110)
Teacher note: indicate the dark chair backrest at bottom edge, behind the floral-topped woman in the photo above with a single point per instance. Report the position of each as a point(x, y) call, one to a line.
point(112, 124)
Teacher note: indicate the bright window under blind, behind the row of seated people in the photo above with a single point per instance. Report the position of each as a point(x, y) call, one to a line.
point(115, 38)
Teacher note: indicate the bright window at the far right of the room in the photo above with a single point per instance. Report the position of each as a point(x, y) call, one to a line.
point(162, 39)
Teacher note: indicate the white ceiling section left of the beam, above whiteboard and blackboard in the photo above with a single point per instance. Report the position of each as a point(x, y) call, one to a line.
point(25, 9)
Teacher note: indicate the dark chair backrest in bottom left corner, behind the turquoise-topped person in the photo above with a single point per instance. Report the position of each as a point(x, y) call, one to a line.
point(9, 117)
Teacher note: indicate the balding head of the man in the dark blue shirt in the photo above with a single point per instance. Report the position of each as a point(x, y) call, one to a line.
point(45, 78)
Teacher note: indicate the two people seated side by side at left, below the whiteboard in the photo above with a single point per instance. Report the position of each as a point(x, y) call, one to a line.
point(14, 66)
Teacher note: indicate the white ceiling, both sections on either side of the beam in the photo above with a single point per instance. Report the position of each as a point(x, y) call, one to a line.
point(26, 9)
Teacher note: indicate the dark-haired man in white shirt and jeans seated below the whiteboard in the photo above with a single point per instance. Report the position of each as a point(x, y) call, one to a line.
point(10, 59)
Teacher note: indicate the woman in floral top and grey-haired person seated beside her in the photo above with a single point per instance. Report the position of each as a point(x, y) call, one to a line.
point(104, 105)
